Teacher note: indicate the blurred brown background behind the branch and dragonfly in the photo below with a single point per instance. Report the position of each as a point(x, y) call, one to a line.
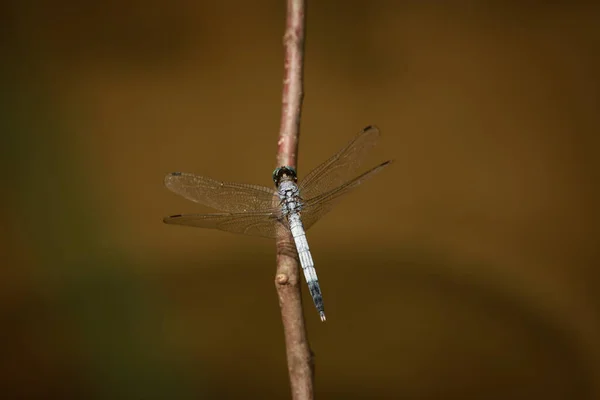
point(472, 274)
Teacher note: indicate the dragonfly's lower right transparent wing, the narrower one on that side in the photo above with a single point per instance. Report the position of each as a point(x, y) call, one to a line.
point(318, 206)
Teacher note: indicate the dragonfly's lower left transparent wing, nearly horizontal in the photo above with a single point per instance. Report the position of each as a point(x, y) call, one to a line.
point(253, 223)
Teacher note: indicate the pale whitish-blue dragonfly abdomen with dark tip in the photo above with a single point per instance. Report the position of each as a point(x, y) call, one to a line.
point(306, 261)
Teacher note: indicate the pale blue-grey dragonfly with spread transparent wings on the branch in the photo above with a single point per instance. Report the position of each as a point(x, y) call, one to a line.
point(260, 211)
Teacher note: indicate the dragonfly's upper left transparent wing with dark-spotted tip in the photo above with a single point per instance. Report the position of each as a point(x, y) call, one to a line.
point(223, 196)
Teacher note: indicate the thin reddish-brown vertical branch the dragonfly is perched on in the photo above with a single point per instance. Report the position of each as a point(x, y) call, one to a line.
point(288, 279)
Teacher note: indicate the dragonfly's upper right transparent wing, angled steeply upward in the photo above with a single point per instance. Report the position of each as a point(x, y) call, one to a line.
point(341, 167)
